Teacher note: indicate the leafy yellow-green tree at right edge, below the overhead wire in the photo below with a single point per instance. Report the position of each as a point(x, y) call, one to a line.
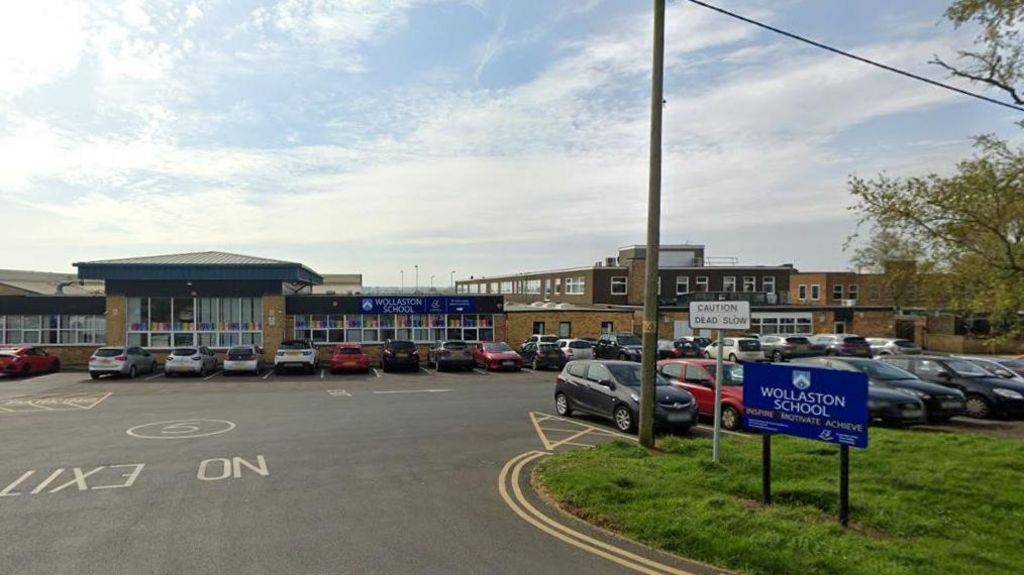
point(970, 228)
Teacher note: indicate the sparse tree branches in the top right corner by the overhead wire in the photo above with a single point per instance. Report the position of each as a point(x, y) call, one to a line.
point(999, 59)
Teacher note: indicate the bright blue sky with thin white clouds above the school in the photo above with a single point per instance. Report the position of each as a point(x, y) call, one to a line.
point(475, 137)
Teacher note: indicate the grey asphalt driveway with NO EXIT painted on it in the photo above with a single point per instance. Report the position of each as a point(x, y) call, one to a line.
point(339, 474)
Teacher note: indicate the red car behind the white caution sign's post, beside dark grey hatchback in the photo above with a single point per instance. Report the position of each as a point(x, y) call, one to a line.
point(698, 377)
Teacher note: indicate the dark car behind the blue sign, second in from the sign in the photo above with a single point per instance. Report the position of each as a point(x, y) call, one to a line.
point(942, 404)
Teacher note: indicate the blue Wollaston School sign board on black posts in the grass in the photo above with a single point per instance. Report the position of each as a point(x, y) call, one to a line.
point(810, 403)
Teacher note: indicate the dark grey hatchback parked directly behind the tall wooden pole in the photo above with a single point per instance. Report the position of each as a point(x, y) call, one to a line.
point(612, 389)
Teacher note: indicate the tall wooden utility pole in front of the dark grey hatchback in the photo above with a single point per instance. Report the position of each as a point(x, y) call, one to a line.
point(650, 331)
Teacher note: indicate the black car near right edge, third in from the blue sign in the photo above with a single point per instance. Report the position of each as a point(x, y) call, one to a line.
point(988, 395)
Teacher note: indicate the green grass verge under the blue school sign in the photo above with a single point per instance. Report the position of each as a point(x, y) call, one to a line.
point(921, 503)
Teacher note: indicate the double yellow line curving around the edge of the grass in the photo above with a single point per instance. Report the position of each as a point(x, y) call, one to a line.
point(511, 476)
